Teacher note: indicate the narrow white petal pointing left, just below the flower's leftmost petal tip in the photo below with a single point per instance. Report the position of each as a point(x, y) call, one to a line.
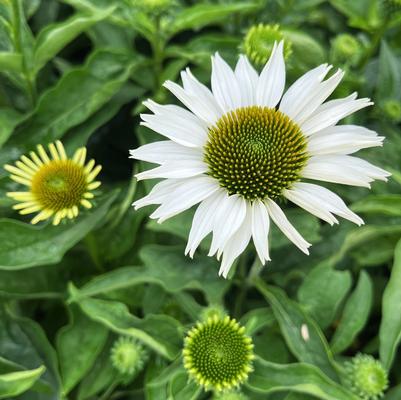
point(174, 169)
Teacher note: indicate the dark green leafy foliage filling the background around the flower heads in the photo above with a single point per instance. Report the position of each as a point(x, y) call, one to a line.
point(78, 71)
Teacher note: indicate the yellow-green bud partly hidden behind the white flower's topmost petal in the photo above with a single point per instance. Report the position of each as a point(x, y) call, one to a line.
point(259, 41)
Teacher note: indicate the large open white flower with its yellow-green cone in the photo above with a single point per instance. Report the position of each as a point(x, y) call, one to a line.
point(246, 145)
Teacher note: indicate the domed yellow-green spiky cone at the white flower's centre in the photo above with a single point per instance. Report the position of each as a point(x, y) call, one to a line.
point(255, 152)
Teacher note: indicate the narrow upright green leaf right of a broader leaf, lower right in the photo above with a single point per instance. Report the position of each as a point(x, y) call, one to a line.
point(355, 315)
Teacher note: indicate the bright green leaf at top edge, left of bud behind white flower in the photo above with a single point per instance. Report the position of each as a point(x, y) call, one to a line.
point(200, 15)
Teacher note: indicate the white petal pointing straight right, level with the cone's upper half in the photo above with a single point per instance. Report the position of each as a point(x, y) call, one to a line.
point(331, 142)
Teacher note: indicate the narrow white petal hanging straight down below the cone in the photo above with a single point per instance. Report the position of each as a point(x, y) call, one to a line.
point(260, 230)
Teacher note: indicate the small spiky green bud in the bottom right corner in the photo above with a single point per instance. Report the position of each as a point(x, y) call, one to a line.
point(366, 377)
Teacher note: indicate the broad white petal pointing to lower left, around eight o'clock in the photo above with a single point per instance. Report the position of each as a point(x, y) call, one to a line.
point(190, 192)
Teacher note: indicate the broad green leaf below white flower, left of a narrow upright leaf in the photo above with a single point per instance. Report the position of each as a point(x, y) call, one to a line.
point(322, 292)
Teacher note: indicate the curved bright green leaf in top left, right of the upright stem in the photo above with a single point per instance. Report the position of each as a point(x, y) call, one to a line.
point(56, 36)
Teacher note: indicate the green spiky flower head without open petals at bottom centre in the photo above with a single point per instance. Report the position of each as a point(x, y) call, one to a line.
point(218, 354)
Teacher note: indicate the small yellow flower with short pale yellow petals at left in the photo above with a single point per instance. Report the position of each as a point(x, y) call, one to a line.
point(57, 185)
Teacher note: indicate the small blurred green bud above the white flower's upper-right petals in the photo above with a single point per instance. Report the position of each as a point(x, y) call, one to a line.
point(346, 49)
